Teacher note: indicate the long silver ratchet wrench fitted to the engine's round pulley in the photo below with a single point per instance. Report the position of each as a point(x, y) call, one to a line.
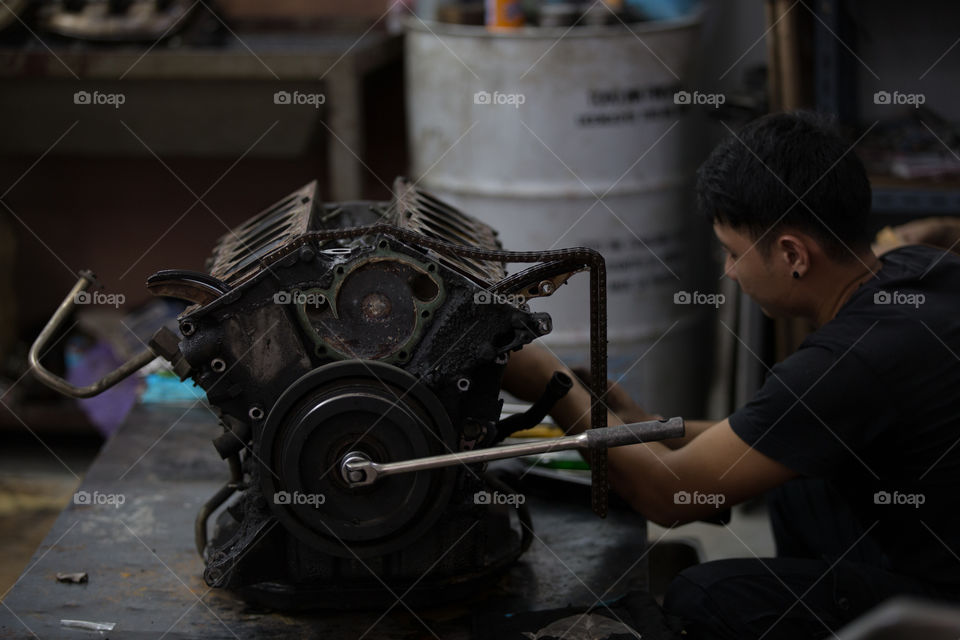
point(357, 469)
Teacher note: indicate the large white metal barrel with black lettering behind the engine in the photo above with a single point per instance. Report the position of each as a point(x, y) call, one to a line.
point(562, 137)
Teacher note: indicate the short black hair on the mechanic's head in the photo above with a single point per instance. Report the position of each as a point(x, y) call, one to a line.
point(752, 180)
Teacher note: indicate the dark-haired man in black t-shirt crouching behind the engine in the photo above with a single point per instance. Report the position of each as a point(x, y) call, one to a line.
point(854, 436)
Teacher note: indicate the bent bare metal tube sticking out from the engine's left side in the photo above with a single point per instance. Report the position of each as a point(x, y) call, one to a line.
point(57, 383)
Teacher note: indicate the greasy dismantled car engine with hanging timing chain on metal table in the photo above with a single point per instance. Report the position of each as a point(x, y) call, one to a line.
point(335, 338)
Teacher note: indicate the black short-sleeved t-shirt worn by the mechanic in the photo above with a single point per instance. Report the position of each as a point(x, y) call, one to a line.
point(871, 402)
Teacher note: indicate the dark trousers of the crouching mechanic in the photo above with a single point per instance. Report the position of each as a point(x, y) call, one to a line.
point(805, 592)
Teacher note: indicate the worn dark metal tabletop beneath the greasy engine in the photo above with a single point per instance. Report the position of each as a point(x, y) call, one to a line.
point(145, 574)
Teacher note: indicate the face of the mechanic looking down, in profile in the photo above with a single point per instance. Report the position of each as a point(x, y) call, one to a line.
point(760, 277)
